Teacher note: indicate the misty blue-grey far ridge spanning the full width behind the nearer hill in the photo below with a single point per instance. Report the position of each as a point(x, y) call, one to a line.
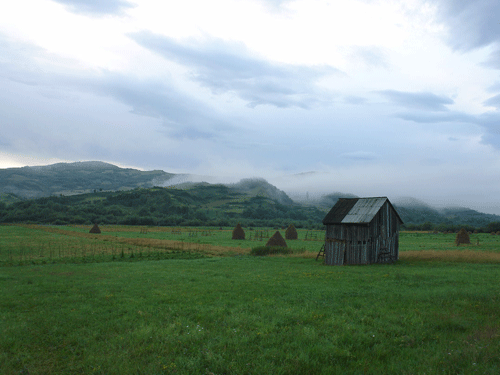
point(68, 179)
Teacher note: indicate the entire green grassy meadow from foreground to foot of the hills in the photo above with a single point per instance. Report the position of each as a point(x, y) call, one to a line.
point(137, 300)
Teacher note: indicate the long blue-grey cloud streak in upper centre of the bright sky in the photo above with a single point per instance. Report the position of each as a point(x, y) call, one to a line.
point(230, 68)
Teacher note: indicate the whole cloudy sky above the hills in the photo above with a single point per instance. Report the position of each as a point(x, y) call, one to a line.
point(375, 98)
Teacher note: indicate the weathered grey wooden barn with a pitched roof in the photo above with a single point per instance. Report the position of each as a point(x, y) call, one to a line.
point(362, 231)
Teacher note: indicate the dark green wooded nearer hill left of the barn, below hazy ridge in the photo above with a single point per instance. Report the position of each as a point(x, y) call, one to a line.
point(203, 204)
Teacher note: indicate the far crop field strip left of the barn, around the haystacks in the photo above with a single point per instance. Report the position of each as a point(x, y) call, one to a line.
point(33, 244)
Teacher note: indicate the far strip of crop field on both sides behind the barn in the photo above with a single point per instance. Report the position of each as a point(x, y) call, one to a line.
point(32, 244)
